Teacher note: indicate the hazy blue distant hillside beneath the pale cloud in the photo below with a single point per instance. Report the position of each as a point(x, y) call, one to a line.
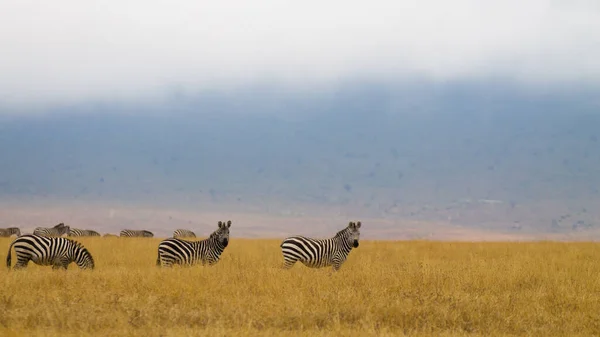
point(484, 156)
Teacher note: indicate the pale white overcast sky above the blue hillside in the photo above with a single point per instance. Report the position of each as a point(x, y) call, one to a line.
point(75, 51)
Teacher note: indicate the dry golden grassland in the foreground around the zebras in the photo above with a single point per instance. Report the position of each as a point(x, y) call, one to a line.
point(385, 288)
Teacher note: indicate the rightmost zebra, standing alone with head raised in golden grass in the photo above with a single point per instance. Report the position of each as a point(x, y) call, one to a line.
point(316, 253)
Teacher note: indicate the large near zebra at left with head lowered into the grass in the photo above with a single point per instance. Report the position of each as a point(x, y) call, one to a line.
point(49, 251)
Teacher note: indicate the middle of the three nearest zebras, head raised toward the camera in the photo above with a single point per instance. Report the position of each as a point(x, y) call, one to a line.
point(176, 251)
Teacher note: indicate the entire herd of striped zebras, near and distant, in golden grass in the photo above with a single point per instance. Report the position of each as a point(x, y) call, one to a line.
point(46, 247)
